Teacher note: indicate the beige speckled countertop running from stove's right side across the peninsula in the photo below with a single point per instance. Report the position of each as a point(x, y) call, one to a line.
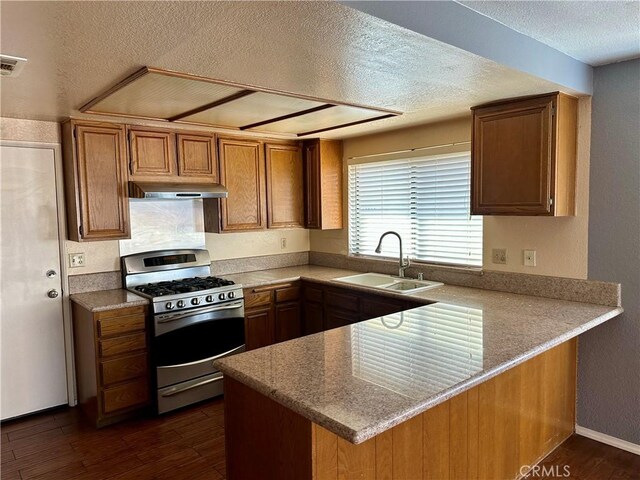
point(350, 381)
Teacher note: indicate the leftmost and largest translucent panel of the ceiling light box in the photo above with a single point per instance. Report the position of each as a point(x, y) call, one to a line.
point(161, 96)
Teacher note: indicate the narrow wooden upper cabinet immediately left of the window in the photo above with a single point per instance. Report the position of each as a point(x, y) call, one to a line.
point(323, 184)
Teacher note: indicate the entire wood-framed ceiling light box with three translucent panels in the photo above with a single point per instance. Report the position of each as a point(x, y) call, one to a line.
point(178, 97)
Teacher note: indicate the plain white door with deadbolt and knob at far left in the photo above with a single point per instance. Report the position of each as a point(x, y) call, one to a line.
point(32, 352)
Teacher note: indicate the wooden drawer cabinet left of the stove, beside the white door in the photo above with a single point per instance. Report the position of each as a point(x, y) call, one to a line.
point(112, 362)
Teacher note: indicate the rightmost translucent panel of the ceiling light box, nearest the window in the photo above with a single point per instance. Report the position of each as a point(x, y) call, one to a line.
point(320, 120)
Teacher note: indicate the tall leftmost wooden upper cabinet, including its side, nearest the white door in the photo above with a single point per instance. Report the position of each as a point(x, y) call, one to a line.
point(95, 164)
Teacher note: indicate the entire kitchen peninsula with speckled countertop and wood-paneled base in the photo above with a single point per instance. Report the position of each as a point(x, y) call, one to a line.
point(476, 385)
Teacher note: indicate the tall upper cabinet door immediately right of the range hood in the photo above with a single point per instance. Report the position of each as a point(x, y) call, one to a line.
point(242, 172)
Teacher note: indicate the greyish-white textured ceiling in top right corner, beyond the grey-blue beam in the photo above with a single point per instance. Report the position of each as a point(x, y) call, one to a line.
point(593, 32)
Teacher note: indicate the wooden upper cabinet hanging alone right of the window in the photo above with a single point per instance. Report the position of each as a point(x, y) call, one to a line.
point(524, 156)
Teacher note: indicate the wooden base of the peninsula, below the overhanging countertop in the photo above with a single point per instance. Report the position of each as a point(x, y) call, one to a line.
point(492, 431)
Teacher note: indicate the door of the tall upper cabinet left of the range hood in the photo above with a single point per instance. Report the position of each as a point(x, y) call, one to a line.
point(102, 181)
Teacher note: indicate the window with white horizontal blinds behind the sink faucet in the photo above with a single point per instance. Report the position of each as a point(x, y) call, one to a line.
point(425, 200)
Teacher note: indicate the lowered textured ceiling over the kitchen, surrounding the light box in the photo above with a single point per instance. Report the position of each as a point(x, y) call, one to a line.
point(323, 49)
